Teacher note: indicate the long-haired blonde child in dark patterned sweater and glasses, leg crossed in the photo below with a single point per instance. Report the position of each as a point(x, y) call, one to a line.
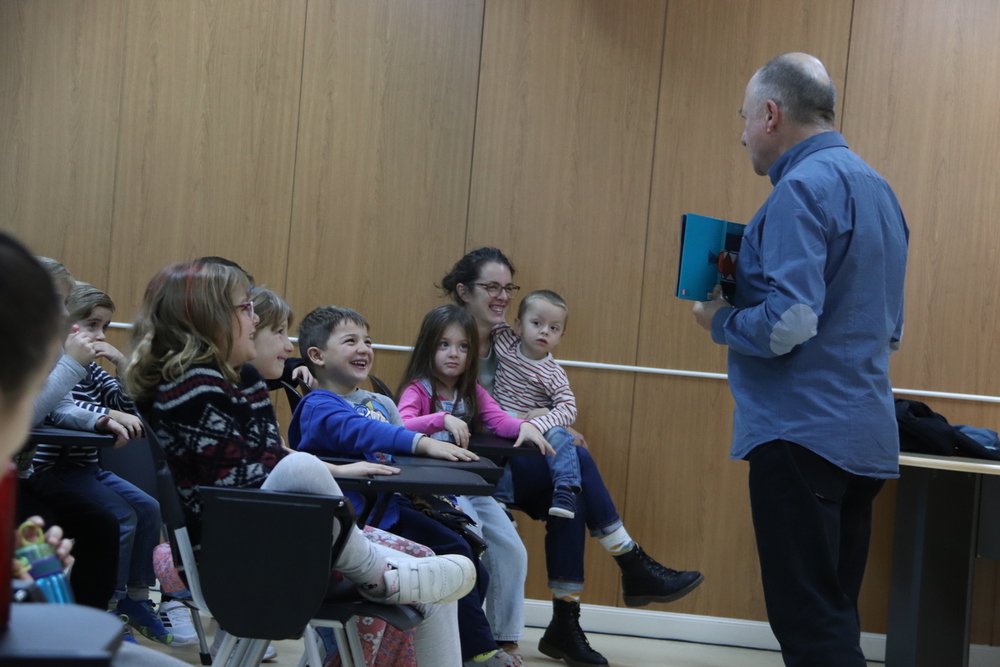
point(197, 324)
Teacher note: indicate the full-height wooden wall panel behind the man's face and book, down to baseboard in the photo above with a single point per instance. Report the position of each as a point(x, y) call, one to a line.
point(680, 475)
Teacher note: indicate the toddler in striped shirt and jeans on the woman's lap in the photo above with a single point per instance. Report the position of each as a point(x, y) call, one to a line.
point(531, 385)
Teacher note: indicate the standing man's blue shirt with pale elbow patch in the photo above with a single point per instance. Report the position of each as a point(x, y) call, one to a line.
point(818, 308)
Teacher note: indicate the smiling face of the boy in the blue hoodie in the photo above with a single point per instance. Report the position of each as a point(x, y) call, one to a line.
point(347, 359)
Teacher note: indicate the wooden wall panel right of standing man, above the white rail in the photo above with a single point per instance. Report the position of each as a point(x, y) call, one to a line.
point(921, 107)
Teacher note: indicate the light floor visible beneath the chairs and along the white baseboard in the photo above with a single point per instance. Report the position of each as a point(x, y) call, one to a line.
point(620, 652)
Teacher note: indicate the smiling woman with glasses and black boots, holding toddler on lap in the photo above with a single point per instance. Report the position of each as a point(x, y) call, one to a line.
point(482, 283)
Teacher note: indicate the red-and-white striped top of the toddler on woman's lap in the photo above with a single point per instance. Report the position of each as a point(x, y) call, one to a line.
point(523, 384)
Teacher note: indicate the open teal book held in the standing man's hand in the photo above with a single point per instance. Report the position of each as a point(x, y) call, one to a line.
point(709, 251)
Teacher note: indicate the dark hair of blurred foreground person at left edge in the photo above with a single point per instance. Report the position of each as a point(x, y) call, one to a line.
point(34, 318)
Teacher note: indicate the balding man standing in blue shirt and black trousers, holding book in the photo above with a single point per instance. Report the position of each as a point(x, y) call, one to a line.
point(817, 310)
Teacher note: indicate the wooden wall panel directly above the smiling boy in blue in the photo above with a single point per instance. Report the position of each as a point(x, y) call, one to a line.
point(385, 149)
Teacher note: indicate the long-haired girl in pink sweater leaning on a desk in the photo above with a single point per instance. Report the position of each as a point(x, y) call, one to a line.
point(440, 395)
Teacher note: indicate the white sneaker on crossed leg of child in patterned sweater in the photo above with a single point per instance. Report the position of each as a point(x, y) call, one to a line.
point(435, 579)
